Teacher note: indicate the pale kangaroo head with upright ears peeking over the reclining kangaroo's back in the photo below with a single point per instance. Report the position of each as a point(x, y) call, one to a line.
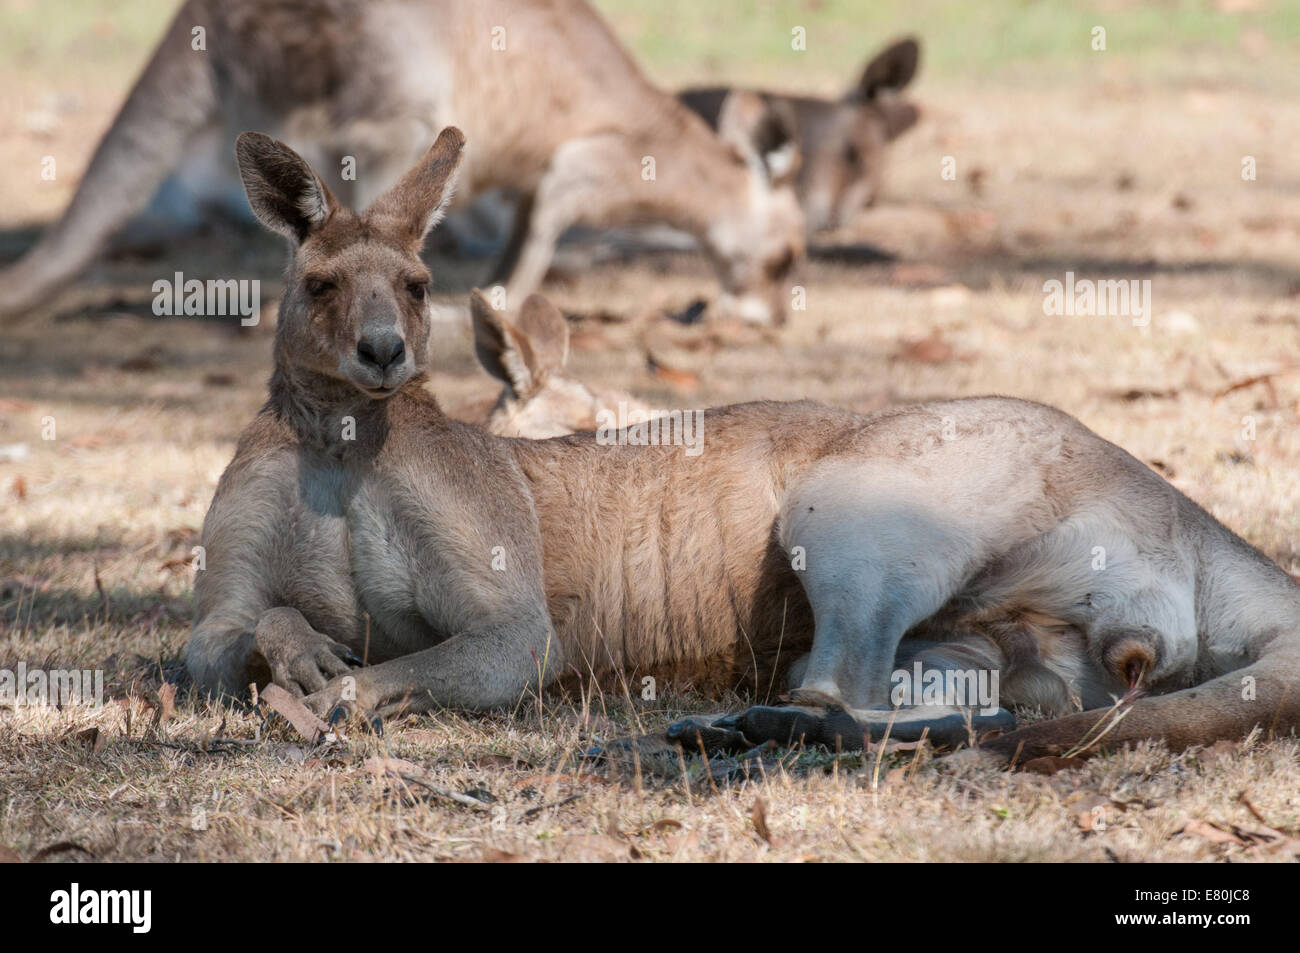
point(539, 397)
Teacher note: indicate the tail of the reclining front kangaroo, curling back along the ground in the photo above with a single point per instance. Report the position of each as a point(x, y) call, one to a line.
point(1251, 603)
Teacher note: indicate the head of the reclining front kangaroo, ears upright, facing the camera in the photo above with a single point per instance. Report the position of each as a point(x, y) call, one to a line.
point(356, 306)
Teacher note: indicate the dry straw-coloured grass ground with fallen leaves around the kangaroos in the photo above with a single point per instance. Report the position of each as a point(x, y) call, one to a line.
point(1119, 179)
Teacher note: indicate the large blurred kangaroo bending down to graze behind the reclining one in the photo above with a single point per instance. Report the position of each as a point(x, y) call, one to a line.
point(557, 109)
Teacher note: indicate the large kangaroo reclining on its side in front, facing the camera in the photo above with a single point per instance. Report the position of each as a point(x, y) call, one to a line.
point(357, 519)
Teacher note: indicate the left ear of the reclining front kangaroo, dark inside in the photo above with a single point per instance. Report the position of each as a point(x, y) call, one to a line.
point(284, 192)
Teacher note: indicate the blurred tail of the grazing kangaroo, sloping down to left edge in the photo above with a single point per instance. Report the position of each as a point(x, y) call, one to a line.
point(172, 101)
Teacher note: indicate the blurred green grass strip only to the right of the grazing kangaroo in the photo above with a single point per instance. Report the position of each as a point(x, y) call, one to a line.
point(749, 41)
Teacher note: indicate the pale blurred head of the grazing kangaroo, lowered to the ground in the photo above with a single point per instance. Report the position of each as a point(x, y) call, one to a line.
point(757, 249)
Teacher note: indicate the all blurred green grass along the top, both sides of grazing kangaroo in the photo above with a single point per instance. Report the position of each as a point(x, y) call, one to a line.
point(1250, 42)
